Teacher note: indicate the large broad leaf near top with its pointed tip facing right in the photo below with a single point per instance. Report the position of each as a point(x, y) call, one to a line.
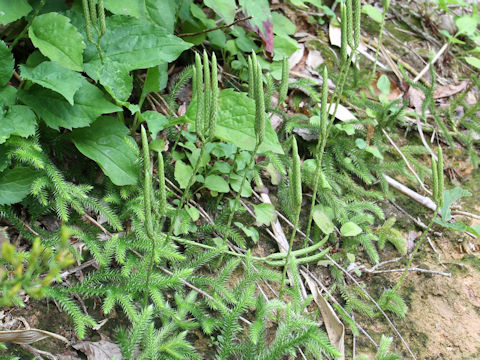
point(136, 44)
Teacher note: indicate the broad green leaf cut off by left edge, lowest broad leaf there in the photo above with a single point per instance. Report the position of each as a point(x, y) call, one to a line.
point(15, 184)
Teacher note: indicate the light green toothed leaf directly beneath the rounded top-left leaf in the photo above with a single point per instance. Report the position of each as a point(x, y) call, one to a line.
point(55, 77)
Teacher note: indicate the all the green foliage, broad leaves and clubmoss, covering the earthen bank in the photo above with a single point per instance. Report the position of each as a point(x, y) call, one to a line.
point(175, 264)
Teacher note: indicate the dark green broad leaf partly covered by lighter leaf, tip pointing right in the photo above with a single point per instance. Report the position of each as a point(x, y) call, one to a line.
point(89, 103)
